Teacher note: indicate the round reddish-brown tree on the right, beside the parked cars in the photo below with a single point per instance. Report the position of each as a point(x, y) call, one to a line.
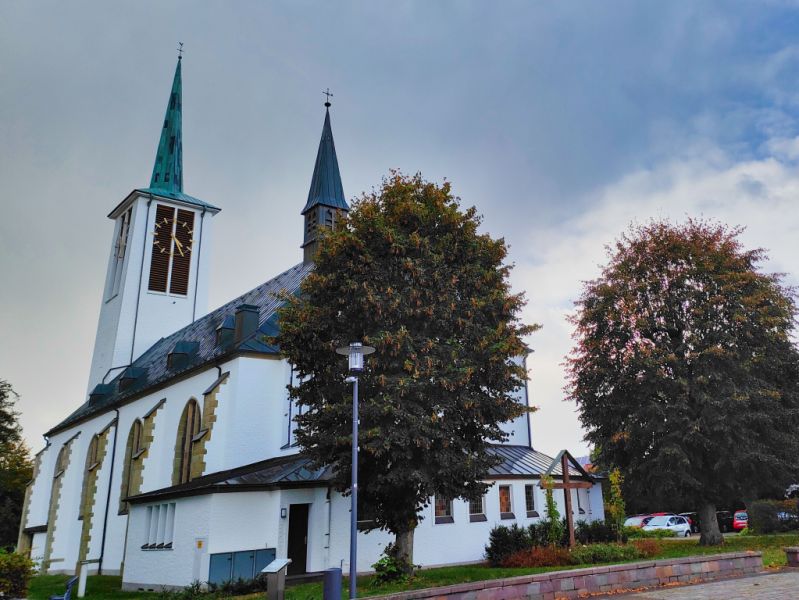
point(684, 371)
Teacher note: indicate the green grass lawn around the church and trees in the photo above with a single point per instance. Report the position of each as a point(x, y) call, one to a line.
point(101, 587)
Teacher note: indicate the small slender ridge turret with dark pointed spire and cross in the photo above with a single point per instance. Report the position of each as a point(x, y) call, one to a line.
point(326, 199)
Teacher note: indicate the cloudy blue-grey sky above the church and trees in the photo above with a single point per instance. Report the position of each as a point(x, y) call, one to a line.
point(561, 122)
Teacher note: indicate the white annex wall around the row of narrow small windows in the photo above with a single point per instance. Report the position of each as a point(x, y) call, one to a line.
point(153, 569)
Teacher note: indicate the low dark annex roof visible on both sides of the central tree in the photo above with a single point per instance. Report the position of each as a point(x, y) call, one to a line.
point(296, 471)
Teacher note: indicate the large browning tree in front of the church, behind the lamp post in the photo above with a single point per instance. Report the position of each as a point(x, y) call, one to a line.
point(407, 272)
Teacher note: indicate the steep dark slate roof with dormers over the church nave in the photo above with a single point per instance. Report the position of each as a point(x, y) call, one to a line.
point(152, 367)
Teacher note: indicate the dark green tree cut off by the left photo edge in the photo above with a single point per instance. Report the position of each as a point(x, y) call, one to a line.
point(15, 467)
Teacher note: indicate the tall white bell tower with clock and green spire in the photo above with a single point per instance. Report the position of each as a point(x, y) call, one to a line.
point(157, 275)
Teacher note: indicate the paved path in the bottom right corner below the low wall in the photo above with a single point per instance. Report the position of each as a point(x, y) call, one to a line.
point(777, 586)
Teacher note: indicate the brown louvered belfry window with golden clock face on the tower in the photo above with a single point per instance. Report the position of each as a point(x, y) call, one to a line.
point(172, 244)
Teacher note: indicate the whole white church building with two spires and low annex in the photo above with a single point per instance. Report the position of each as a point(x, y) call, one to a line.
point(181, 465)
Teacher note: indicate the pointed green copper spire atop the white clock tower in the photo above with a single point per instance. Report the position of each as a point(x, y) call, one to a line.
point(168, 169)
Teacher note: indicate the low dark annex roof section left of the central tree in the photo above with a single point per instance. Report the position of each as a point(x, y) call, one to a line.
point(284, 471)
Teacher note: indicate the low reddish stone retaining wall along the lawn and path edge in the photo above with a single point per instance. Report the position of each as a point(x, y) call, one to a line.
point(582, 583)
